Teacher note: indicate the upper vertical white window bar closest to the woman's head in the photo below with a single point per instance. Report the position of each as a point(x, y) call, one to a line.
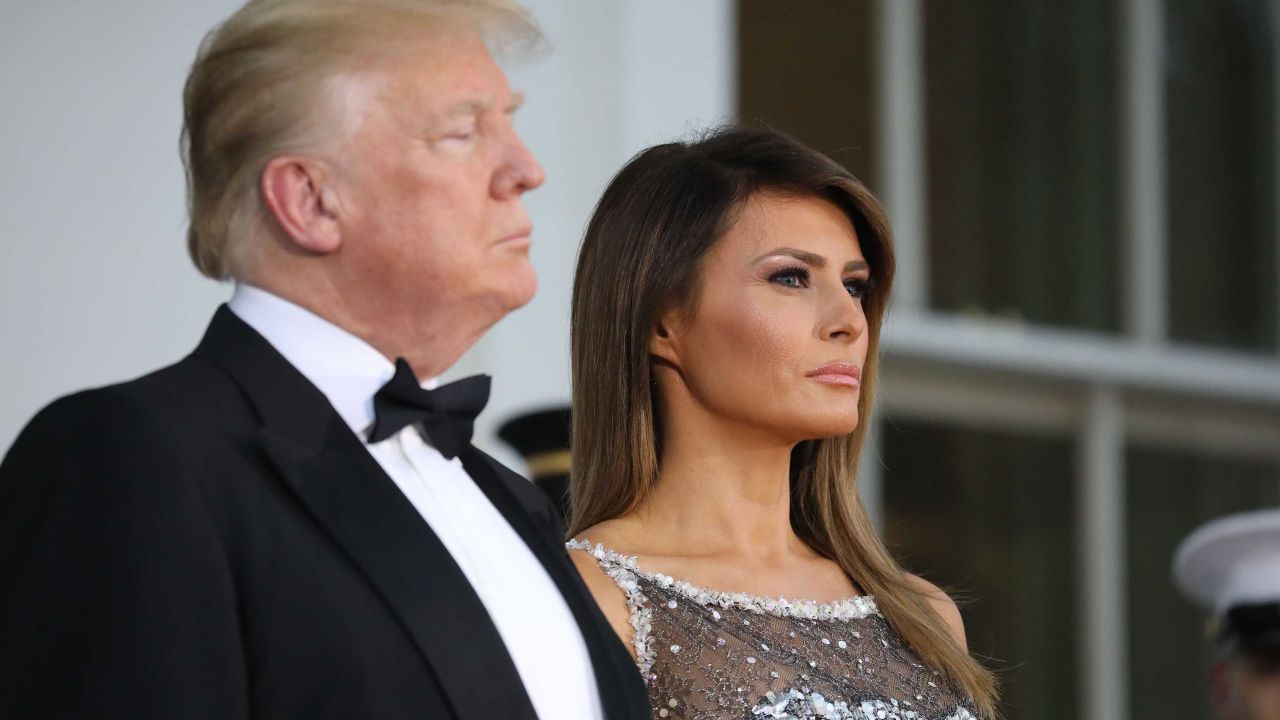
point(900, 138)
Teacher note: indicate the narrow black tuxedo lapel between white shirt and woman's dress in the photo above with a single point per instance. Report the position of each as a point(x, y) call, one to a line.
point(623, 692)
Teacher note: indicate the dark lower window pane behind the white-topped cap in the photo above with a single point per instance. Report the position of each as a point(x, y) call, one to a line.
point(1169, 495)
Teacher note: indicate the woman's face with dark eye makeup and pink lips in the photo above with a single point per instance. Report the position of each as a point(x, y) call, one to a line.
point(778, 340)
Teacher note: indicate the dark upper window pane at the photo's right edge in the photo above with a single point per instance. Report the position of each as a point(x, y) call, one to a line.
point(1222, 152)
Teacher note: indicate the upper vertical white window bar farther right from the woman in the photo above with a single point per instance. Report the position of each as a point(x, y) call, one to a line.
point(1145, 197)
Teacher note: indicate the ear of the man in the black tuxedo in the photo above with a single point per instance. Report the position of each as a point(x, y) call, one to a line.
point(305, 206)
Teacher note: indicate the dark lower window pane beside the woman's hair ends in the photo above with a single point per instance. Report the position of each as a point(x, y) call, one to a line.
point(991, 516)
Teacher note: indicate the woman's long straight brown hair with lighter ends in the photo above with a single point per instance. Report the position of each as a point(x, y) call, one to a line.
point(642, 257)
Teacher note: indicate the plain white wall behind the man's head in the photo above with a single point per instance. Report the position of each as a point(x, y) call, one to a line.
point(95, 286)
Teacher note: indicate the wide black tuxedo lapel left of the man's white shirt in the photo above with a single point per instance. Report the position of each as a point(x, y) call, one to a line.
point(376, 526)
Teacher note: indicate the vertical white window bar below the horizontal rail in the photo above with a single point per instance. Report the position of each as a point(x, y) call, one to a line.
point(1104, 667)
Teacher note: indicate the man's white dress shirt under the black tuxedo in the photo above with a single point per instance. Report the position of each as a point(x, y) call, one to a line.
point(524, 603)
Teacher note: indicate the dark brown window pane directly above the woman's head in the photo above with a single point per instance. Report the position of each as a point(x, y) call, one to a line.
point(807, 70)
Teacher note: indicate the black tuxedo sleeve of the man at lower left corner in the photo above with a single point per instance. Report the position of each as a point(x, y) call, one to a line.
point(116, 596)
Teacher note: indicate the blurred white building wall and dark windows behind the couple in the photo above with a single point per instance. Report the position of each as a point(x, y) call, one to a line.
point(1082, 359)
